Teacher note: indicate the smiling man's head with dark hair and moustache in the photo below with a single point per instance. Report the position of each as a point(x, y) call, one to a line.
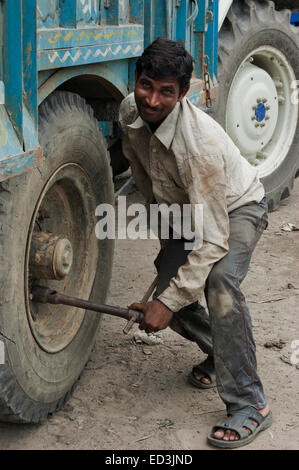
point(163, 75)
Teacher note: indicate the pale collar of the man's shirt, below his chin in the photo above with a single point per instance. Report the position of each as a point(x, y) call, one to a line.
point(165, 132)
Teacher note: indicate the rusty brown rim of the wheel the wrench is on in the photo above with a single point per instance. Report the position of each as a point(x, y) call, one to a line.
point(66, 207)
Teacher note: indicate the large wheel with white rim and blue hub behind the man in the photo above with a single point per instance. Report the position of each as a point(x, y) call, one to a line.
point(258, 98)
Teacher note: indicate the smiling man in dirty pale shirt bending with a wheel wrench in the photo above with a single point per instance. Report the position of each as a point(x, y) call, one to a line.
point(178, 154)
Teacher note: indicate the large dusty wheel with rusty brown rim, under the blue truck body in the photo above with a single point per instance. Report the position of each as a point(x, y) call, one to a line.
point(45, 347)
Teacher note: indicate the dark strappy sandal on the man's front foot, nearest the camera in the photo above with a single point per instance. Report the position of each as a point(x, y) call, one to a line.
point(239, 420)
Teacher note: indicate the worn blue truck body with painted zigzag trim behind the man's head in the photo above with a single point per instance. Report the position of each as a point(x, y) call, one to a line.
point(45, 43)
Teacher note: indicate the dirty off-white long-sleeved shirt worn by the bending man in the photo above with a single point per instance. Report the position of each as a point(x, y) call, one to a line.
point(189, 159)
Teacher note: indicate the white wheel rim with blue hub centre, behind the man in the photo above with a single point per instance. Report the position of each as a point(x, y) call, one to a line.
point(260, 116)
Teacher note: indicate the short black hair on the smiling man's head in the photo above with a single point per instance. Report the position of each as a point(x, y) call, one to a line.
point(165, 58)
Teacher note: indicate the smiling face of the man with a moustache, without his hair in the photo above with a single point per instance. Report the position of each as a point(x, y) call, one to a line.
point(155, 99)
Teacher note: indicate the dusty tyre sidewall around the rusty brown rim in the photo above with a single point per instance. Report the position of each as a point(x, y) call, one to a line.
point(43, 376)
